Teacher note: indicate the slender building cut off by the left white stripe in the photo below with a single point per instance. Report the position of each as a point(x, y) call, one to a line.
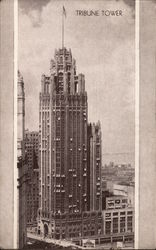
point(21, 164)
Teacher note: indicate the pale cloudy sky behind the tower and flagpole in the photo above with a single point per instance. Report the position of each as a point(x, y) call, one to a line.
point(104, 49)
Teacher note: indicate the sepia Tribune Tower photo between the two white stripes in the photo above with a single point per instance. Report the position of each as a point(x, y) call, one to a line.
point(76, 124)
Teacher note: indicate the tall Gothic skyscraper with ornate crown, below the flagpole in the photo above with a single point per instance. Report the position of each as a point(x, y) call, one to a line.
point(63, 154)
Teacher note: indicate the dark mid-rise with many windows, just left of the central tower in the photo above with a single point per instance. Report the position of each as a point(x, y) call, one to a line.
point(31, 147)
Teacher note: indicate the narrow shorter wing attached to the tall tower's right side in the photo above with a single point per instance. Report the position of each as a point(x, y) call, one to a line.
point(94, 166)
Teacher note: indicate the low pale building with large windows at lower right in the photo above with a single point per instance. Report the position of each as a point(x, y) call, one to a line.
point(118, 218)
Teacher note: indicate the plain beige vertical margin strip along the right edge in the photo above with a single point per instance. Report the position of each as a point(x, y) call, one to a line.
point(147, 129)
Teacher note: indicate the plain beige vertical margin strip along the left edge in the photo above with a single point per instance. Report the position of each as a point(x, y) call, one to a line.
point(7, 172)
